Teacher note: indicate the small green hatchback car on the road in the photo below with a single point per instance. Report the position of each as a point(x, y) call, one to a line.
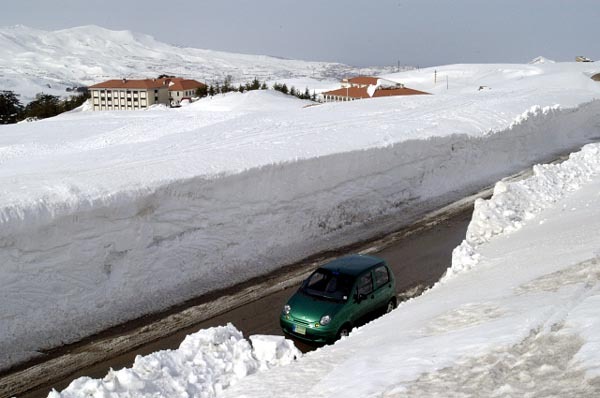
point(338, 296)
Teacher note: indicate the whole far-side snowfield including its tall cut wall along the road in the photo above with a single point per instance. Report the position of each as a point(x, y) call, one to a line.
point(105, 216)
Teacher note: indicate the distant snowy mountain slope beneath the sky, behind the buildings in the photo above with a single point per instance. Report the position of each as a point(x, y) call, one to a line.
point(33, 61)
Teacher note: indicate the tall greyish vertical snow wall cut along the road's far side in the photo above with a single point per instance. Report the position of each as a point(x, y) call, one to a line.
point(92, 265)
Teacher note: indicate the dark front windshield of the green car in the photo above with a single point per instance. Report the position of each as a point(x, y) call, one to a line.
point(330, 285)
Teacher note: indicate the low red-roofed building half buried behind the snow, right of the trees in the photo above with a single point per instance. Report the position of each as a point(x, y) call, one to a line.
point(362, 87)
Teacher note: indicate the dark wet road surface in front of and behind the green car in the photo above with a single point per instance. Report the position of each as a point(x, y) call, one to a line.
point(419, 255)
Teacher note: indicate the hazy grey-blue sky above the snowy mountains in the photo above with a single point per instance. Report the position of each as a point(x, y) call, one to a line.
point(357, 32)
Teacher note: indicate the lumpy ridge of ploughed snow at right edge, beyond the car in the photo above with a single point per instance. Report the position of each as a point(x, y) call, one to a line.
point(514, 204)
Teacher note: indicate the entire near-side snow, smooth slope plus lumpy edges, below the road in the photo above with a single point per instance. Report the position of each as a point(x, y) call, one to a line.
point(517, 315)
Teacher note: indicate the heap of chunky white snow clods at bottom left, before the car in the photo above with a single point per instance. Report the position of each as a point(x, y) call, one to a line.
point(205, 363)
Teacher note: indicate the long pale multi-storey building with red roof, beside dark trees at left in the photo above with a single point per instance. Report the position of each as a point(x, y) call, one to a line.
point(128, 94)
